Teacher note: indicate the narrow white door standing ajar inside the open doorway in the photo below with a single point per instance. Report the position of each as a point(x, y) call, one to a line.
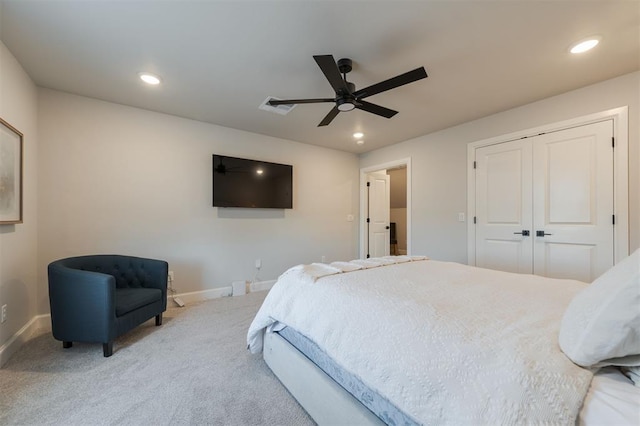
point(379, 207)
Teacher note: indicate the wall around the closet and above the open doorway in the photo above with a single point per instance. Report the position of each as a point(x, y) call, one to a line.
point(439, 162)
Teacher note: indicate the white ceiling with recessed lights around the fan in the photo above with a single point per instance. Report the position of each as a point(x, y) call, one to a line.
point(219, 60)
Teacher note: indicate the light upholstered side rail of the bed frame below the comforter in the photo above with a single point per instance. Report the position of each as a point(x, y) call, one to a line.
point(325, 401)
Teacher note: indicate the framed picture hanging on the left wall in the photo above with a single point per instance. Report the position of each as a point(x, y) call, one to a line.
point(11, 161)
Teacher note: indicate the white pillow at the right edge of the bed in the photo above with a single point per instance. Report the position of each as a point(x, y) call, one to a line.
point(603, 321)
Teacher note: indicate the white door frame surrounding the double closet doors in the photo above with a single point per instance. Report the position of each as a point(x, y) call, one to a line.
point(620, 117)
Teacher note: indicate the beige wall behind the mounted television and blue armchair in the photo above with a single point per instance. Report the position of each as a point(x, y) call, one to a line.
point(124, 180)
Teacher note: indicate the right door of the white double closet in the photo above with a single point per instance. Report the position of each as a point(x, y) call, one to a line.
point(573, 202)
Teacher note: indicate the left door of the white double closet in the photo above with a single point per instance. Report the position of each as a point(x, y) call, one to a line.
point(504, 207)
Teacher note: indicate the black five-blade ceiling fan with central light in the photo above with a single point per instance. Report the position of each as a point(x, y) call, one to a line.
point(347, 98)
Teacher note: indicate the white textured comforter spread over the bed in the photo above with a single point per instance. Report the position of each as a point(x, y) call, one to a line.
point(446, 343)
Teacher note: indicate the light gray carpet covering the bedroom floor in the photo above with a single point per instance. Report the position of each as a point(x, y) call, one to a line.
point(194, 369)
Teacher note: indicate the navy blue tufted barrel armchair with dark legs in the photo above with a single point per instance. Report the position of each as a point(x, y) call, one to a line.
point(98, 298)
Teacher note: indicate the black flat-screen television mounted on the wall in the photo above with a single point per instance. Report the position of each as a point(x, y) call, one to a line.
point(240, 182)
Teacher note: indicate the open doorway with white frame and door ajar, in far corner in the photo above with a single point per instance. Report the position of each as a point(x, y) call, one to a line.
point(385, 203)
